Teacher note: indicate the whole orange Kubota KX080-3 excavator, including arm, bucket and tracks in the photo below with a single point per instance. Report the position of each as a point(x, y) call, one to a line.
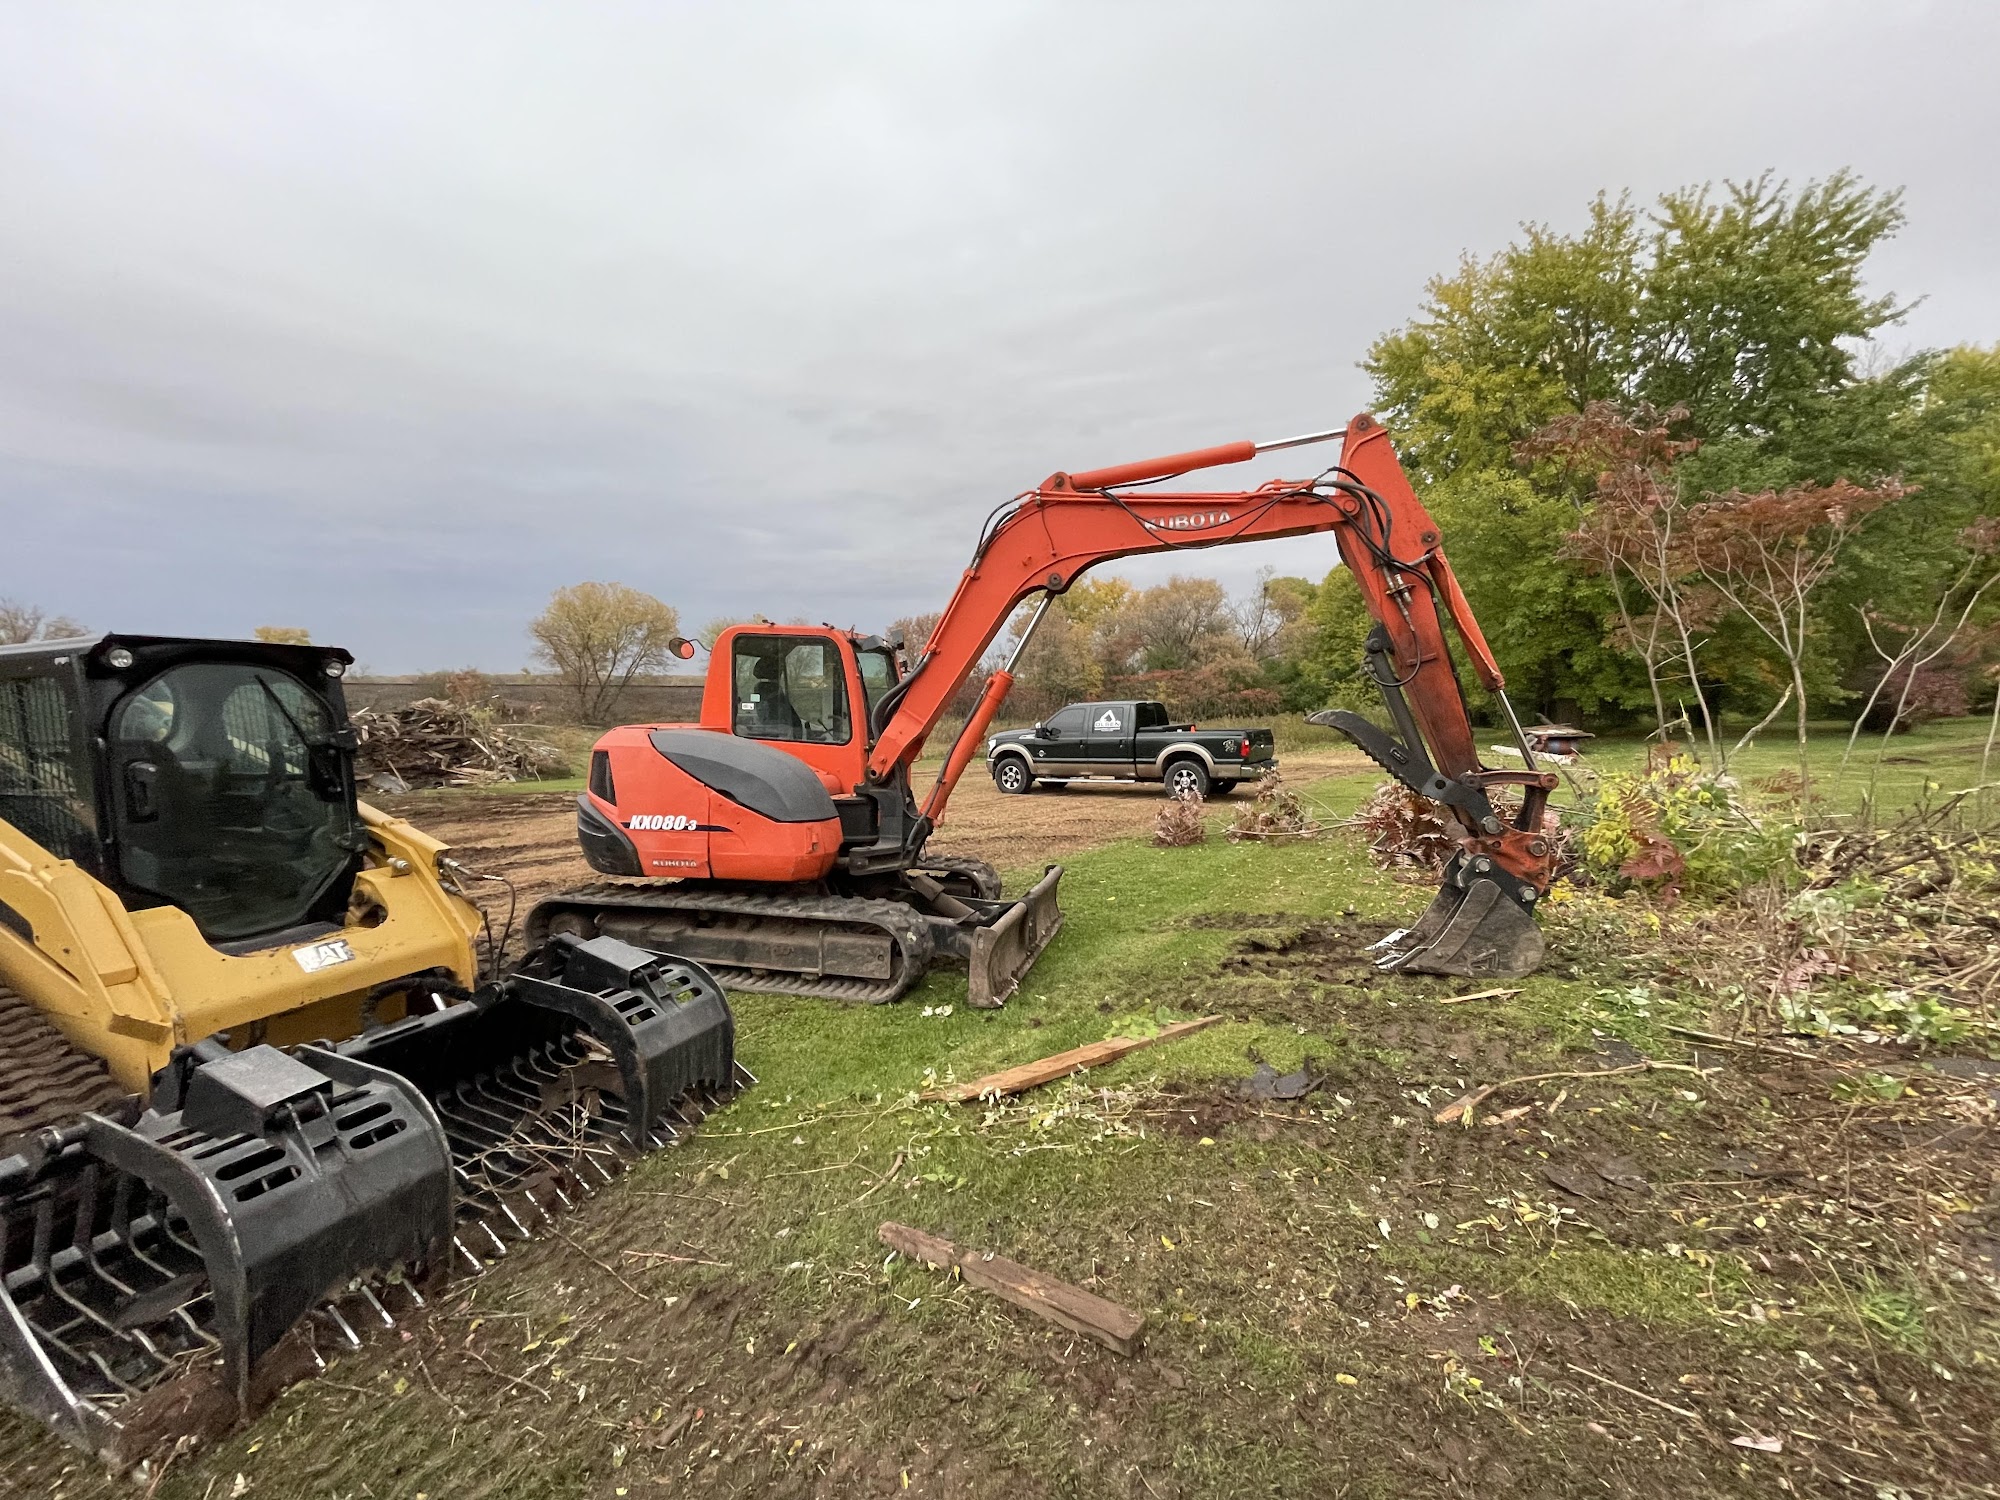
point(781, 845)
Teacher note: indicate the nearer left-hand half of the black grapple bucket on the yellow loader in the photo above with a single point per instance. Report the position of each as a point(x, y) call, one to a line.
point(153, 1265)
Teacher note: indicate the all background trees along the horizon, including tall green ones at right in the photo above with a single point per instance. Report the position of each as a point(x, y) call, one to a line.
point(1681, 479)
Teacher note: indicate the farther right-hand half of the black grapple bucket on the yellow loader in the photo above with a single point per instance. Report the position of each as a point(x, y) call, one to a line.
point(547, 1081)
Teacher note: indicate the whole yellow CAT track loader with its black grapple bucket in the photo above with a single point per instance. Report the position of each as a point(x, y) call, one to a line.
point(257, 1085)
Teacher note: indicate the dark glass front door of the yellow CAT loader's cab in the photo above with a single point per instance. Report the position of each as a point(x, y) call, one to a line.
point(233, 801)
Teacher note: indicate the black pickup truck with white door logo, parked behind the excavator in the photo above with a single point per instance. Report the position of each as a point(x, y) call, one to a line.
point(1131, 743)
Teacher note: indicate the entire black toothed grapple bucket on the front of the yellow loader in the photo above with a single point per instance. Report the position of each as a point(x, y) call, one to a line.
point(165, 1269)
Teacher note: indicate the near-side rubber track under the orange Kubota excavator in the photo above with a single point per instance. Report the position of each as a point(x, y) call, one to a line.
point(757, 939)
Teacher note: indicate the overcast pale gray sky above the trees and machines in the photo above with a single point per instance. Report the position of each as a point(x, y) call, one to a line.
point(389, 321)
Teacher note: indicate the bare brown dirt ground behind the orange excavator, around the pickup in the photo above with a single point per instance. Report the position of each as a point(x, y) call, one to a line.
point(531, 837)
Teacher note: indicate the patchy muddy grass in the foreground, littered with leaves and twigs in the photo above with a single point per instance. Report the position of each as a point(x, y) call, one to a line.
point(1343, 1297)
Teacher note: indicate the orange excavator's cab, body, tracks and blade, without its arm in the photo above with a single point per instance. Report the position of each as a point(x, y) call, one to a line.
point(775, 855)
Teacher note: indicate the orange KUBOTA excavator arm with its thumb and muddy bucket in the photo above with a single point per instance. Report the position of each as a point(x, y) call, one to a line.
point(1041, 543)
